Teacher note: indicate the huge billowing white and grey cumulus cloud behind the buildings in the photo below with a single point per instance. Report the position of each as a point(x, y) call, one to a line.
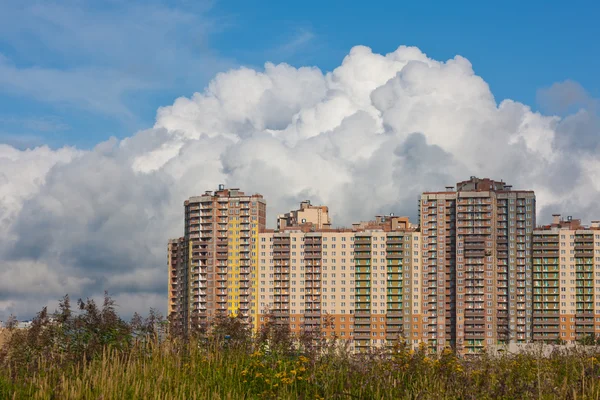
point(365, 138)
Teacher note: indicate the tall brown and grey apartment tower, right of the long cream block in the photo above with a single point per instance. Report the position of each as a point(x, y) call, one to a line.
point(477, 262)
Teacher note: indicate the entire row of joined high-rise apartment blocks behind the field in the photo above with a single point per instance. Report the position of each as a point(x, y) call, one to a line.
point(475, 272)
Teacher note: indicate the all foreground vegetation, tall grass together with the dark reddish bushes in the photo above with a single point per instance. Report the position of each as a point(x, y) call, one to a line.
point(91, 353)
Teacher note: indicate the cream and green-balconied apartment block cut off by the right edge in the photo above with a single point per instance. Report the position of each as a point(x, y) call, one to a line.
point(566, 280)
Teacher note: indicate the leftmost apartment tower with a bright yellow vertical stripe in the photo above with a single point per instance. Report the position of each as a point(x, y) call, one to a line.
point(215, 256)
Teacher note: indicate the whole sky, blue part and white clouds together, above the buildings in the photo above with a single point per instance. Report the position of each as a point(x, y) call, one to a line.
point(78, 72)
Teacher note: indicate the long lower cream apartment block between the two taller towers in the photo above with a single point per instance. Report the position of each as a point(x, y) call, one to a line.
point(361, 284)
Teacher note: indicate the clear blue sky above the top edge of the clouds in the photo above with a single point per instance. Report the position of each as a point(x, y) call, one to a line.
point(77, 72)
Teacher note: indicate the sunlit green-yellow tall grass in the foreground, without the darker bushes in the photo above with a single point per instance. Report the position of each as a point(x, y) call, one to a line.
point(171, 370)
